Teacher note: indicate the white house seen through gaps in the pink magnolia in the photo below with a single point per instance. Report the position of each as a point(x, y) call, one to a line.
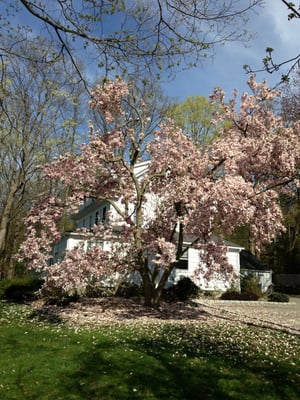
point(93, 212)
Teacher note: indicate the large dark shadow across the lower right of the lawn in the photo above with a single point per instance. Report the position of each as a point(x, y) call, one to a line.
point(151, 369)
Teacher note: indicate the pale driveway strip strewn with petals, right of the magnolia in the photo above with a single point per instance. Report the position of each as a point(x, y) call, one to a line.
point(283, 316)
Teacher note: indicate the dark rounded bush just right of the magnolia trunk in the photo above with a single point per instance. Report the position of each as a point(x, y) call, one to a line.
point(184, 289)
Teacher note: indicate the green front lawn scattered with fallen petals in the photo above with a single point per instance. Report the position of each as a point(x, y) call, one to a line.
point(41, 360)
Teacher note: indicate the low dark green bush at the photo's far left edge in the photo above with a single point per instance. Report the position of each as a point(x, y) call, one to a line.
point(20, 289)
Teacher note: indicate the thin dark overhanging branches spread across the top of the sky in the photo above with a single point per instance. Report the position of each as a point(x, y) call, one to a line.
point(117, 35)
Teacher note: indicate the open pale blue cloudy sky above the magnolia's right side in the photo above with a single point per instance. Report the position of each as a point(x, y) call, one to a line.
point(272, 29)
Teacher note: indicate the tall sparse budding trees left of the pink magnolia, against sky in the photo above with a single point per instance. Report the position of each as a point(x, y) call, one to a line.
point(39, 118)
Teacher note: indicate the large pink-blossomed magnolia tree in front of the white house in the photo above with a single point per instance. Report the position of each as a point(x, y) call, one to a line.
point(192, 192)
